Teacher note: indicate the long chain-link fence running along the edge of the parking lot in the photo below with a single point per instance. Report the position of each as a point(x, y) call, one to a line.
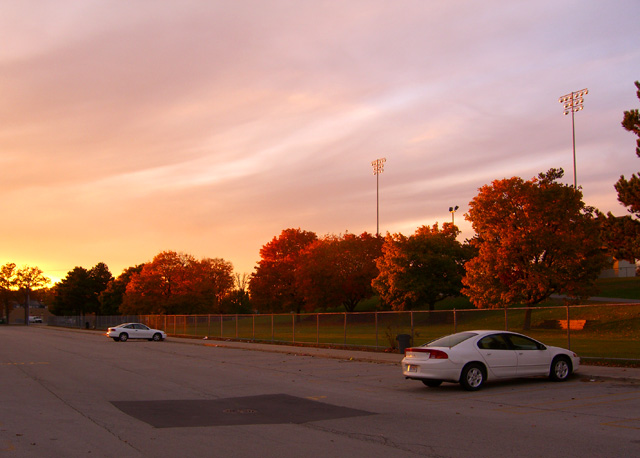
point(606, 331)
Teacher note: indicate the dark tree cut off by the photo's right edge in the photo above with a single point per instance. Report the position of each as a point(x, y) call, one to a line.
point(622, 234)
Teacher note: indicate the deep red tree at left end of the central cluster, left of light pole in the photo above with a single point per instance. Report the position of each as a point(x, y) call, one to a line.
point(272, 285)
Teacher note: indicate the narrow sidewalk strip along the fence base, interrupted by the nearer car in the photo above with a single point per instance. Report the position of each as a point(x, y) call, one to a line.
point(586, 372)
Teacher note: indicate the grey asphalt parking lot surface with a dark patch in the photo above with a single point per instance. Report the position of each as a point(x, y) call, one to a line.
point(66, 393)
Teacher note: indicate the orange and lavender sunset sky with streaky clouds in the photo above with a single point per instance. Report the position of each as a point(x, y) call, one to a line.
point(207, 127)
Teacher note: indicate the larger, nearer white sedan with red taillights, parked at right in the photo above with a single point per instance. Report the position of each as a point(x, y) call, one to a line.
point(473, 357)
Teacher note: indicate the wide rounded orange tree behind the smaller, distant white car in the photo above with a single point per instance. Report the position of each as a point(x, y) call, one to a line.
point(177, 283)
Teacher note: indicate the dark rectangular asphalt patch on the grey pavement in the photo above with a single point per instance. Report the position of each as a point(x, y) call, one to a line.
point(246, 410)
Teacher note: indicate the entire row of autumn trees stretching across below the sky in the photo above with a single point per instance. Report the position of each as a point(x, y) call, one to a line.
point(533, 238)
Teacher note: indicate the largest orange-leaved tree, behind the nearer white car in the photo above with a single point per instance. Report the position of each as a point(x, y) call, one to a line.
point(535, 238)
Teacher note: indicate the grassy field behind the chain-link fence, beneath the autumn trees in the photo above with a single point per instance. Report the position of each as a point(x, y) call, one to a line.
point(610, 333)
